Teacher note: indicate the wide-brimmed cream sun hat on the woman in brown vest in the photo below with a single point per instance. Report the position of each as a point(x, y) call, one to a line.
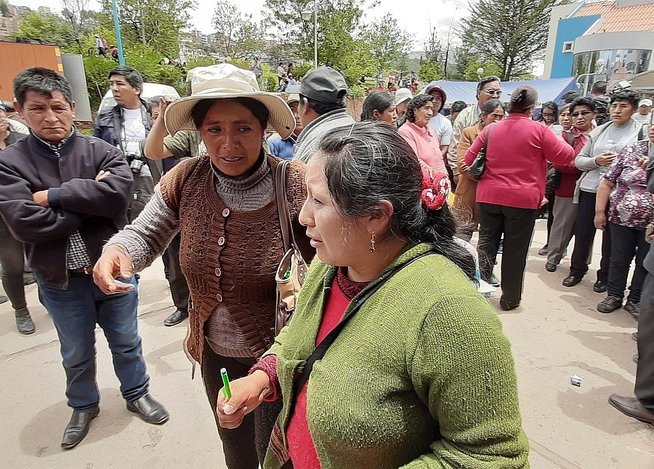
point(225, 81)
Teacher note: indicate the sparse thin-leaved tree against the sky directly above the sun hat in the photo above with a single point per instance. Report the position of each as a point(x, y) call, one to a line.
point(237, 35)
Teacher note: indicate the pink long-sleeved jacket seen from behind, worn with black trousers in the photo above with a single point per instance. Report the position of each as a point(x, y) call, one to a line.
point(516, 161)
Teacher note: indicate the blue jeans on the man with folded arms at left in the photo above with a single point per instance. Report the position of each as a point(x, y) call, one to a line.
point(75, 312)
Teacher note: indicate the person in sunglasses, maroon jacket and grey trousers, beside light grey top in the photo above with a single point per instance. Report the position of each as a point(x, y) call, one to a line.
point(581, 113)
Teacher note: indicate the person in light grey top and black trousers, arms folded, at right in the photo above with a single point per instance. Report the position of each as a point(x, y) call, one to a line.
point(601, 150)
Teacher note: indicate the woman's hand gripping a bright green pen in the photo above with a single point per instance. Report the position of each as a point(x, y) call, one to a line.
point(247, 394)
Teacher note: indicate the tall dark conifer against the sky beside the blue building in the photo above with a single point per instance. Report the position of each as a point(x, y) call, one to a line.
point(511, 33)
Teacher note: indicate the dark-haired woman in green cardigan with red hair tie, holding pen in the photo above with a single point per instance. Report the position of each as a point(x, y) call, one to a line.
point(420, 374)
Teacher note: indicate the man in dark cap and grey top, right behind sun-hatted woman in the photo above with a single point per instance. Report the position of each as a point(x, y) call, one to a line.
point(322, 108)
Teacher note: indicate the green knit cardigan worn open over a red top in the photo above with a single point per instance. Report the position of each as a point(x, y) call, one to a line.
point(421, 377)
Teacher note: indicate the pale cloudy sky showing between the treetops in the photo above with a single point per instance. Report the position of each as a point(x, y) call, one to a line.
point(418, 19)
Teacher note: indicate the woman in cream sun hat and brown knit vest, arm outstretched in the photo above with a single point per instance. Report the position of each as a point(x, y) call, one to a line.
point(224, 206)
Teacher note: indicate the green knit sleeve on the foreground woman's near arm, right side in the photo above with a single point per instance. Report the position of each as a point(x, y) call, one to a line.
point(468, 382)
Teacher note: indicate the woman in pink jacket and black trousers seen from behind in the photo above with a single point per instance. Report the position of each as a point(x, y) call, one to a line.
point(512, 187)
